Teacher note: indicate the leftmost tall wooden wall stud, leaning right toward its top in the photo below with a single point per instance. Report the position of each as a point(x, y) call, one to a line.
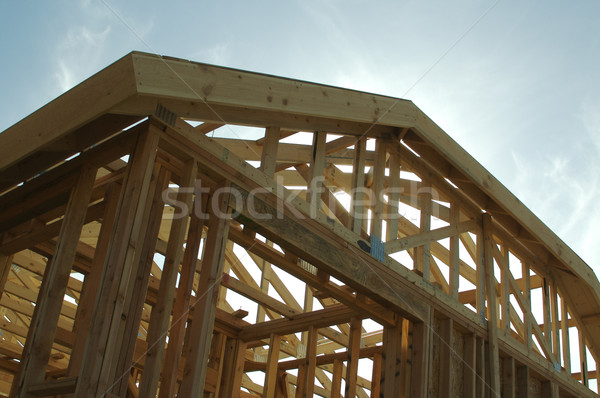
point(42, 330)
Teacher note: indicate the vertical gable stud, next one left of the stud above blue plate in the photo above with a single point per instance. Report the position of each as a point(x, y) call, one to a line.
point(357, 210)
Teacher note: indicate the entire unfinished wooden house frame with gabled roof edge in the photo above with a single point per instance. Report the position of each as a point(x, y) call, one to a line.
point(171, 228)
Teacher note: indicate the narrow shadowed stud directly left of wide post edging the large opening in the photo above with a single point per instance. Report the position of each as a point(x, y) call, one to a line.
point(182, 300)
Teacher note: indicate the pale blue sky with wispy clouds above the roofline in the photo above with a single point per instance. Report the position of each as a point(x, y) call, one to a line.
point(517, 87)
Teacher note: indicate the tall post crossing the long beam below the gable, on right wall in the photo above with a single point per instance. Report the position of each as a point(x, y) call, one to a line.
point(494, 360)
